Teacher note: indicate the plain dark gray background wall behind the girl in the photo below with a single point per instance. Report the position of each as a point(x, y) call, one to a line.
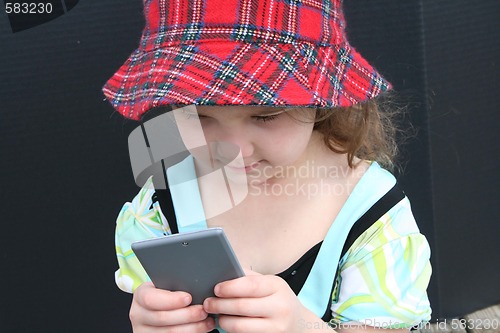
point(65, 170)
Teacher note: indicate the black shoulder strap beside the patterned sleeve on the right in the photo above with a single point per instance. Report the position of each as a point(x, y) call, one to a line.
point(382, 206)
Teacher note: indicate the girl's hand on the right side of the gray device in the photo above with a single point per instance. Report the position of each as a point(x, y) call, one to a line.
point(256, 303)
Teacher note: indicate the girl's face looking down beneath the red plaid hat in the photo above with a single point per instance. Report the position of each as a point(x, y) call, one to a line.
point(247, 140)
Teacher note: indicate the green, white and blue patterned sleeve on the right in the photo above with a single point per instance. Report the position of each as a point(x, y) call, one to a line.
point(385, 273)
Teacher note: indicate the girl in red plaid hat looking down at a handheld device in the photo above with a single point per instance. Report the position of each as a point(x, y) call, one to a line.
point(285, 106)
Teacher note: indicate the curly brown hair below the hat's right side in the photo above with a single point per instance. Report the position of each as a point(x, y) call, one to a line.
point(367, 131)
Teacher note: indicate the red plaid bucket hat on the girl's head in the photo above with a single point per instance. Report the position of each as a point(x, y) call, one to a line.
point(242, 52)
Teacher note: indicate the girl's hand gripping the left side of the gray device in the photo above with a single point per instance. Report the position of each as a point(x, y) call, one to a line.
point(154, 310)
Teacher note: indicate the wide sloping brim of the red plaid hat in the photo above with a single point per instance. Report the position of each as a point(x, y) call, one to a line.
point(237, 73)
